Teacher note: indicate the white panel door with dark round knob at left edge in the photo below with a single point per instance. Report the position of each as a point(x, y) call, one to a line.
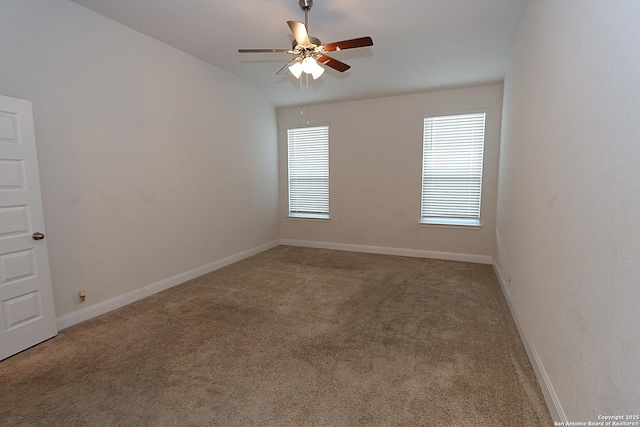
point(27, 315)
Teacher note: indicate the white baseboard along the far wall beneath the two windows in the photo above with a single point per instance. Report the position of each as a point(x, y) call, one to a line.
point(416, 253)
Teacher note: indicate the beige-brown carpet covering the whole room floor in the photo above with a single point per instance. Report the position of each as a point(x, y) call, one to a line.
point(290, 337)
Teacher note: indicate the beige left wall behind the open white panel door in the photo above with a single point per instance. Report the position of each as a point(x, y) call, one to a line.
point(152, 162)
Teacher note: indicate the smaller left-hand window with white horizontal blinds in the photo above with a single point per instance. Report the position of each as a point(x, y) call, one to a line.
point(309, 172)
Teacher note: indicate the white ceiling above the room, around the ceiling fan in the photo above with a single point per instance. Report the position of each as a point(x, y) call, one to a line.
point(419, 45)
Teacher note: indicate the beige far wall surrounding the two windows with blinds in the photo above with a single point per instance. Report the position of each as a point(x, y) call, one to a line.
point(375, 172)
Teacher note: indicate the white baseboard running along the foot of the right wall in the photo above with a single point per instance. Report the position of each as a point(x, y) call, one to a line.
point(550, 396)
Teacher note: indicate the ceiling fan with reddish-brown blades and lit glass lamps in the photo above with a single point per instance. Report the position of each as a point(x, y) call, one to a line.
point(309, 51)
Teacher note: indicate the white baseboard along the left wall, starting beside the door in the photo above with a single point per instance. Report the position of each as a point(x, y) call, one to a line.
point(122, 300)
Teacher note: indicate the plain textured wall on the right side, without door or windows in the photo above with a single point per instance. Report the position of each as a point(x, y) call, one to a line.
point(569, 201)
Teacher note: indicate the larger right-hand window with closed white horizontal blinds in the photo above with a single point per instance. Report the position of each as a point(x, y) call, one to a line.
point(452, 169)
